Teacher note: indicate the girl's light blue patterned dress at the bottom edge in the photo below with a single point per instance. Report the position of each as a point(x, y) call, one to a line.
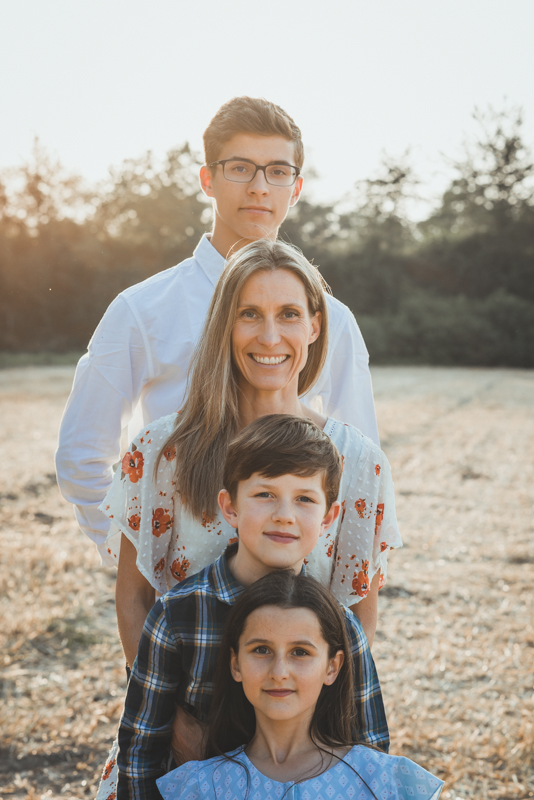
point(373, 776)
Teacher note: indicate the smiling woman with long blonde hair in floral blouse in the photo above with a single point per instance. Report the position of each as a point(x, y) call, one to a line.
point(262, 348)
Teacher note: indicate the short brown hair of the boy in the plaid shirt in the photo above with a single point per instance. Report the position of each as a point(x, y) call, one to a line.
point(282, 444)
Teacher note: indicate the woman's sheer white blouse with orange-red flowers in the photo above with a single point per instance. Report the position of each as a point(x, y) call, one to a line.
point(172, 544)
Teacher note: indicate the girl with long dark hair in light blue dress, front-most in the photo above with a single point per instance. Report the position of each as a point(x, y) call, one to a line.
point(283, 707)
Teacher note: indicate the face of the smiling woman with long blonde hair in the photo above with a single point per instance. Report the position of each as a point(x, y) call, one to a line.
point(273, 330)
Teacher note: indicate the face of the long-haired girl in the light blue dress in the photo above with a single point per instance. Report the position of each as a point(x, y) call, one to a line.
point(283, 662)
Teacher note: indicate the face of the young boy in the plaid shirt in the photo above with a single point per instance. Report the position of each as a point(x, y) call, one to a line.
point(279, 522)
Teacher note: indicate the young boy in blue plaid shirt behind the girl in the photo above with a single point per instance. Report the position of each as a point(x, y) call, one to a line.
point(281, 481)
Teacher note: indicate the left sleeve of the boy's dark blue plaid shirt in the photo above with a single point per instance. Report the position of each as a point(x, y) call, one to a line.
point(145, 730)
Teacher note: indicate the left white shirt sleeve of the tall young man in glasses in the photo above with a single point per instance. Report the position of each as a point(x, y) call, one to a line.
point(107, 385)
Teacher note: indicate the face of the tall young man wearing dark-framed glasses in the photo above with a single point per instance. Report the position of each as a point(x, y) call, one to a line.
point(246, 212)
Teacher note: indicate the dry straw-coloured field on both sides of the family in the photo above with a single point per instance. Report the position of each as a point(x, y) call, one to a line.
point(455, 645)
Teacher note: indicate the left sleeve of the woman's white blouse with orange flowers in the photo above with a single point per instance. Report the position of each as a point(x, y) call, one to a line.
point(140, 505)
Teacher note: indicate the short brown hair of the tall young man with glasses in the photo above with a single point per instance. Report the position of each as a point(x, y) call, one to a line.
point(250, 115)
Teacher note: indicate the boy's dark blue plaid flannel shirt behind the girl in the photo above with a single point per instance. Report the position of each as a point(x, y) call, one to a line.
point(175, 665)
